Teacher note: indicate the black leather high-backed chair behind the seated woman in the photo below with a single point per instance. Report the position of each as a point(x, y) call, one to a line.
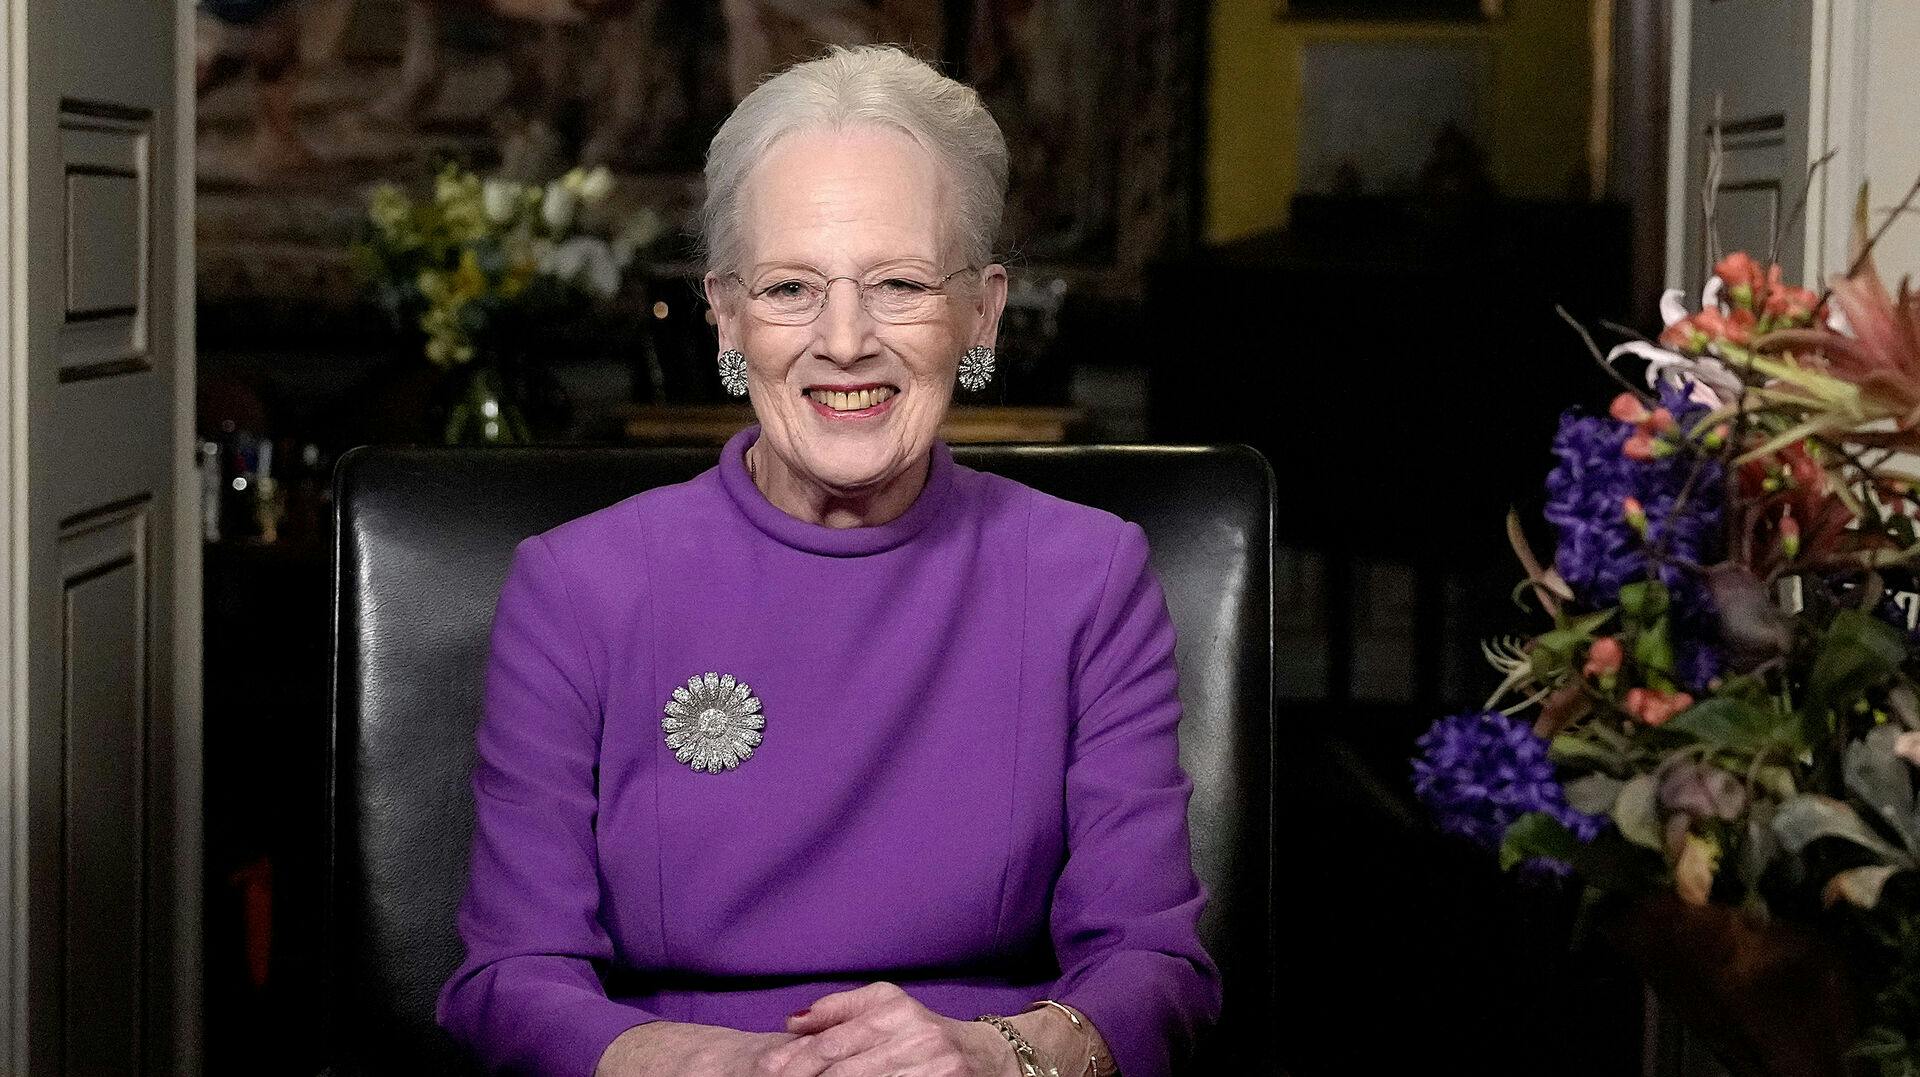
point(423, 546)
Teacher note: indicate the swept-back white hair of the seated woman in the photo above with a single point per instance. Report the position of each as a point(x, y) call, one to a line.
point(852, 87)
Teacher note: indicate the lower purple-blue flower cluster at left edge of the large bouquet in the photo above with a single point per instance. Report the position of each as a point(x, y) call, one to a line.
point(1481, 773)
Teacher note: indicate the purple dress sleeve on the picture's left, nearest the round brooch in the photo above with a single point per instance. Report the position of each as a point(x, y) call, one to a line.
point(529, 999)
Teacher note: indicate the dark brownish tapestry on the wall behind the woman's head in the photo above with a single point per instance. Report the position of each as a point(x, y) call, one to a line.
point(306, 105)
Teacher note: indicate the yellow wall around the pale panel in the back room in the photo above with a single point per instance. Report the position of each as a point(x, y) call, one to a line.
point(1541, 87)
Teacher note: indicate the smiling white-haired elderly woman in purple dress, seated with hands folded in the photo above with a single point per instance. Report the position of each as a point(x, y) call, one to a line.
point(840, 759)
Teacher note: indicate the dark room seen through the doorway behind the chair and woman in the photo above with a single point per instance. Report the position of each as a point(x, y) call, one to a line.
point(1228, 224)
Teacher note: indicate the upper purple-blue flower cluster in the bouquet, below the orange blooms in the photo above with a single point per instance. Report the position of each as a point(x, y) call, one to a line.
point(1600, 550)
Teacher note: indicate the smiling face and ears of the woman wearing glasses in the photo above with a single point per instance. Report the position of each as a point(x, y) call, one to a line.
point(852, 404)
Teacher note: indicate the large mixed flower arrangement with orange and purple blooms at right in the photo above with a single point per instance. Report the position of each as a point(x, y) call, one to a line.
point(1727, 704)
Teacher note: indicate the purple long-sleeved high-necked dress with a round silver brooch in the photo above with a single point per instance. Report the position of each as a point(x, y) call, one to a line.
point(967, 780)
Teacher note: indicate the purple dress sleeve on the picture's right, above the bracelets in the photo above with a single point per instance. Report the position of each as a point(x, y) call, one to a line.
point(1128, 905)
